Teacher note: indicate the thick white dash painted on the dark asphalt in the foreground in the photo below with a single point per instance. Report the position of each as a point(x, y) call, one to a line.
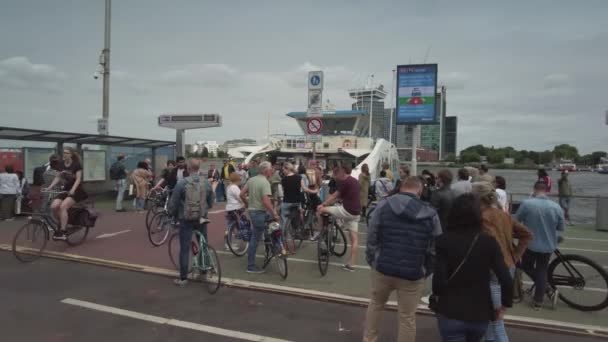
point(173, 322)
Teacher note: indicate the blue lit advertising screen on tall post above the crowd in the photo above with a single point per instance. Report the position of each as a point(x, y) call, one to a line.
point(416, 89)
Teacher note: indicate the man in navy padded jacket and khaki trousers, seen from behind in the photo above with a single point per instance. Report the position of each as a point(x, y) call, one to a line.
point(400, 243)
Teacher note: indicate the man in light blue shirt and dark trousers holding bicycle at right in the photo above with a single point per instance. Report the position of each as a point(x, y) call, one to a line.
point(544, 218)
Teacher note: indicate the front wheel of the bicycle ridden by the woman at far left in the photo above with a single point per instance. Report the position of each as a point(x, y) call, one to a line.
point(30, 241)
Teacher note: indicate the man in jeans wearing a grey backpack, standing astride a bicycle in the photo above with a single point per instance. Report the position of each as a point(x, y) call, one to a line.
point(190, 201)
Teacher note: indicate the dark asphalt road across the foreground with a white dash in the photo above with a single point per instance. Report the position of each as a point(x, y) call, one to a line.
point(33, 310)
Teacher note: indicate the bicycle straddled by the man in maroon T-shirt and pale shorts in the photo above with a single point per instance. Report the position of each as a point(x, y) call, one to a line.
point(331, 237)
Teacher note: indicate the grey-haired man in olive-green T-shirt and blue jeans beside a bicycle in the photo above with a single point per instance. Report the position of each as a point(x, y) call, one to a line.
point(260, 206)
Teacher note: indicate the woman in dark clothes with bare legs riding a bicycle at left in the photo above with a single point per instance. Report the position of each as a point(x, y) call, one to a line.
point(70, 176)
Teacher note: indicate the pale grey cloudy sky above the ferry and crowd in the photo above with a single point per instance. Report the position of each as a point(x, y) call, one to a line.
point(527, 74)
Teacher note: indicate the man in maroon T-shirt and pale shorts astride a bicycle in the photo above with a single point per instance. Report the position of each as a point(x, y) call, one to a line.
point(349, 211)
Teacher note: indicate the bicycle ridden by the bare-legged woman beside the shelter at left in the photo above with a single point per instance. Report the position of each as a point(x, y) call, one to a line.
point(41, 225)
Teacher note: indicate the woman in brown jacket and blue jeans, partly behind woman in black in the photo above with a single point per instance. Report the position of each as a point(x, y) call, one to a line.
point(500, 225)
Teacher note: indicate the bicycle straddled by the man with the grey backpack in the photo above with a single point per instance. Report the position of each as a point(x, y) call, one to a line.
point(203, 258)
